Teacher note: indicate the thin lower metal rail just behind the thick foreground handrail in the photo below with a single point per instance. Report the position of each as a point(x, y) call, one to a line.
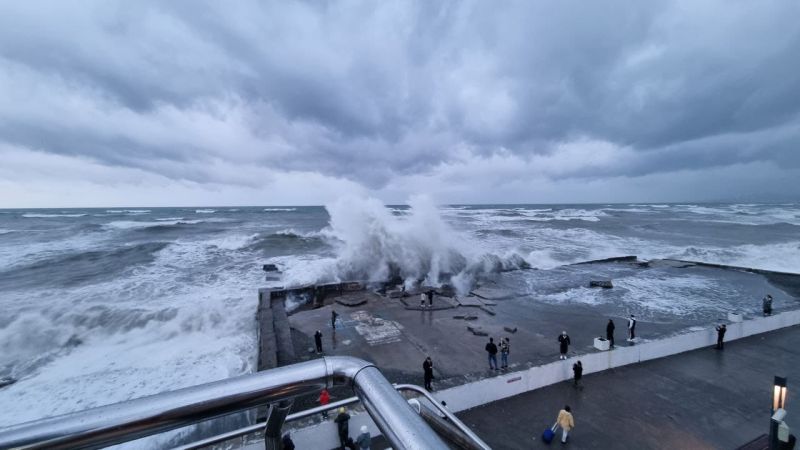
point(332, 406)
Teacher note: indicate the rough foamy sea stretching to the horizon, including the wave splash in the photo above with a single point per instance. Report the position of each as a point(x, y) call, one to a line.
point(103, 305)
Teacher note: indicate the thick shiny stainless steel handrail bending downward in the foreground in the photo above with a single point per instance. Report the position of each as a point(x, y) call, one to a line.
point(126, 421)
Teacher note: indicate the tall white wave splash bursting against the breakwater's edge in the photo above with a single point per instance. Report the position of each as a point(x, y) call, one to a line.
point(373, 244)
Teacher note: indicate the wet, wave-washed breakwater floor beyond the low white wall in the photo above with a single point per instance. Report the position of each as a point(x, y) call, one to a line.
point(542, 305)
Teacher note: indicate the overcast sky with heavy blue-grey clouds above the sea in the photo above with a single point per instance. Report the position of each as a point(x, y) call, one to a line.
point(106, 103)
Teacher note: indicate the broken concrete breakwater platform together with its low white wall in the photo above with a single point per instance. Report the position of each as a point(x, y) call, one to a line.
point(391, 330)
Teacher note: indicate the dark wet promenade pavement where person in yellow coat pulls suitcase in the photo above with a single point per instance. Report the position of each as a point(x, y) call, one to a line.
point(704, 399)
